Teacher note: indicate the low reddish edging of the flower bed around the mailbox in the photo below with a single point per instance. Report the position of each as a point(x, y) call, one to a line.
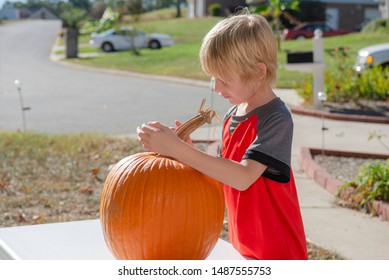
point(340, 117)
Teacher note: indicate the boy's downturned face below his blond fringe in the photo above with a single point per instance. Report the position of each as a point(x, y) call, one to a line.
point(234, 90)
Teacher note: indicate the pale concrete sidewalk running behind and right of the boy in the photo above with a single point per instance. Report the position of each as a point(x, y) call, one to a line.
point(352, 234)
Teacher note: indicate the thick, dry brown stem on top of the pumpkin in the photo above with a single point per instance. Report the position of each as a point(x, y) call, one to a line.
point(203, 116)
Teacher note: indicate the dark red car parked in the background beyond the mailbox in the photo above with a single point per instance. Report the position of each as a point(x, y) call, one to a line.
point(307, 29)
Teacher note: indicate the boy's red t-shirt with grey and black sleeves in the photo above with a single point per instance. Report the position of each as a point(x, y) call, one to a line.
point(264, 221)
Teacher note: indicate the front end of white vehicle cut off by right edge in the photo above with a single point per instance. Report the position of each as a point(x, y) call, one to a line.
point(375, 55)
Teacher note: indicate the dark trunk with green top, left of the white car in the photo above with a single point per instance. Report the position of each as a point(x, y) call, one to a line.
point(72, 18)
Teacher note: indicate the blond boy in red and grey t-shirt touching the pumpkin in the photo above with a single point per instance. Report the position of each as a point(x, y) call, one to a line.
point(264, 217)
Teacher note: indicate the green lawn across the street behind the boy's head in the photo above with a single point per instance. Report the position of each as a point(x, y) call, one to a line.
point(181, 60)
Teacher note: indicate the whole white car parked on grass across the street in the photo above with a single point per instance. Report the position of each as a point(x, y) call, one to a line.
point(127, 37)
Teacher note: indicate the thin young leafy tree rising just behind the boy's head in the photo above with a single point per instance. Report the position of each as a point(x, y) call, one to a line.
point(274, 10)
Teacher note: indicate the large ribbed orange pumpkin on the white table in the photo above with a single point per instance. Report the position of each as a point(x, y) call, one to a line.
point(154, 207)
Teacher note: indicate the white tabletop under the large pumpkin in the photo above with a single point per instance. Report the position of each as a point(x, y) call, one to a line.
point(80, 240)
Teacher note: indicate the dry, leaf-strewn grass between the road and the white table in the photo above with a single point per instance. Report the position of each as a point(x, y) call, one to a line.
point(56, 178)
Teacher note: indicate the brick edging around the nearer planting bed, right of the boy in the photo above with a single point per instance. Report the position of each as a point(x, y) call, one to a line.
point(331, 184)
